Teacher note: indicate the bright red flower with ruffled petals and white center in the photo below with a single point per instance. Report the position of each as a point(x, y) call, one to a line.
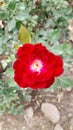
point(36, 67)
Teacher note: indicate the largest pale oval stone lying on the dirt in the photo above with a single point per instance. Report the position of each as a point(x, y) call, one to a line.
point(51, 112)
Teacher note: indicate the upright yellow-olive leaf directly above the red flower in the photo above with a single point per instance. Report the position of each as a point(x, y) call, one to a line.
point(24, 35)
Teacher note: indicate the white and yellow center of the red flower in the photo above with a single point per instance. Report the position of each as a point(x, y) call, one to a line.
point(36, 66)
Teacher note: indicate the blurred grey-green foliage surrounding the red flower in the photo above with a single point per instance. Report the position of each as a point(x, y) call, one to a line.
point(47, 22)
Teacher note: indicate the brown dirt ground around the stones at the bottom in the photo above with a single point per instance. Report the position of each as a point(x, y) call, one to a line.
point(63, 100)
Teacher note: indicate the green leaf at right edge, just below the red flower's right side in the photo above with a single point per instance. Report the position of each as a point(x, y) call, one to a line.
point(65, 82)
